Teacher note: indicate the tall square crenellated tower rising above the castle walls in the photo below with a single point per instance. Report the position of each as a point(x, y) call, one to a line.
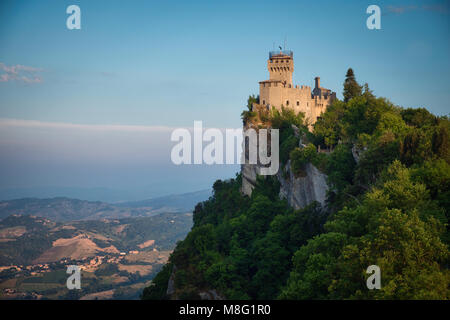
point(281, 66)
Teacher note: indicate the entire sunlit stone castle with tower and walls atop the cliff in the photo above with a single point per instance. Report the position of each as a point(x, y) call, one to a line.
point(280, 91)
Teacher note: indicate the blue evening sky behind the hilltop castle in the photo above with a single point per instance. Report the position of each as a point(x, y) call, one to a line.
point(168, 63)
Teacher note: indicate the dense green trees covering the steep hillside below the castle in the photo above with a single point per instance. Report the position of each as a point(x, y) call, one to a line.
point(388, 205)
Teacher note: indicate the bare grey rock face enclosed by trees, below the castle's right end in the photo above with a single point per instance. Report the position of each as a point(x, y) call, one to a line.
point(302, 191)
